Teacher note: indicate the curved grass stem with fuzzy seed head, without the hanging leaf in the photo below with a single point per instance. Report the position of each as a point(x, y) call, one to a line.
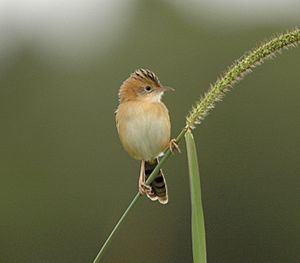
point(215, 93)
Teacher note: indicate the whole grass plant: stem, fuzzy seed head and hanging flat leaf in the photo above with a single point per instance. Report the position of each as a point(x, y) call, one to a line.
point(197, 114)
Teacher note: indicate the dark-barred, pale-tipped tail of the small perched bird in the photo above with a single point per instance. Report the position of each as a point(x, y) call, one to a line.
point(159, 185)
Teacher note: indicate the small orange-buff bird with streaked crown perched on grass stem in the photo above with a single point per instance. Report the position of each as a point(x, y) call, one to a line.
point(144, 128)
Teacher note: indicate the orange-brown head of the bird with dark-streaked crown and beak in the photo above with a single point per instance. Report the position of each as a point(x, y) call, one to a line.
point(142, 85)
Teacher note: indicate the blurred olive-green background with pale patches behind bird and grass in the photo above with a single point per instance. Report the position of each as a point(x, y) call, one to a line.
point(65, 180)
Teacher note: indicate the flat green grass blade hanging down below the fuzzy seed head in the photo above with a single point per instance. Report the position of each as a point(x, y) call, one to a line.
point(198, 228)
